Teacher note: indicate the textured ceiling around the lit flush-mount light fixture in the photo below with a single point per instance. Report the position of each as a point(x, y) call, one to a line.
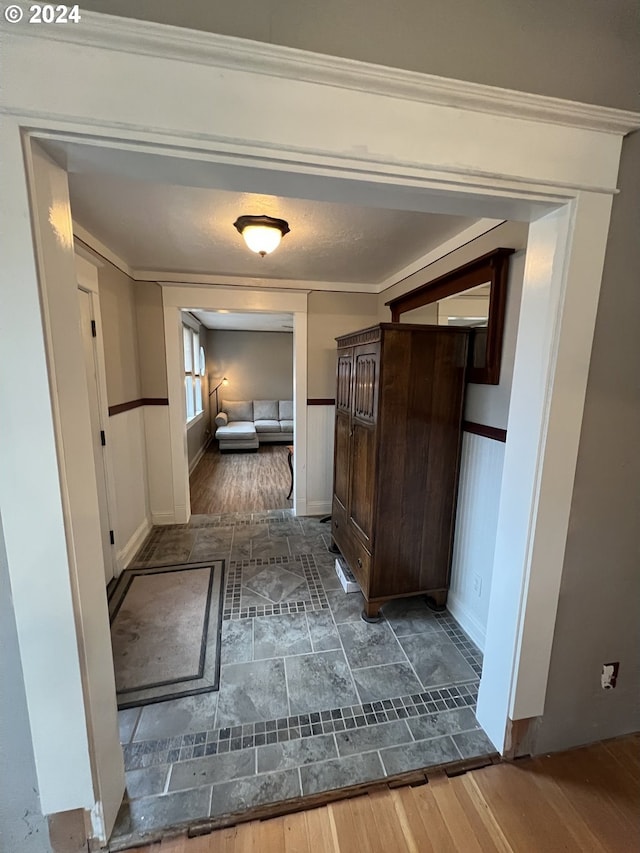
point(156, 226)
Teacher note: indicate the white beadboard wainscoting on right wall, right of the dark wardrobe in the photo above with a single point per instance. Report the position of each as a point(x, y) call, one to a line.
point(475, 536)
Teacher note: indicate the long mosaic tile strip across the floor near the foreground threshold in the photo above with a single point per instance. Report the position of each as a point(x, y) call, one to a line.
point(216, 741)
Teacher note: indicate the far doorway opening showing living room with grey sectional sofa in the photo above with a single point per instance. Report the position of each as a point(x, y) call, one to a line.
point(241, 451)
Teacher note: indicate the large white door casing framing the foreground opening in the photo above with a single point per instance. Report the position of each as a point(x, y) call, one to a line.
point(462, 146)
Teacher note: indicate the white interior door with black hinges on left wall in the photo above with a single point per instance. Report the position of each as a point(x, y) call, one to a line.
point(87, 324)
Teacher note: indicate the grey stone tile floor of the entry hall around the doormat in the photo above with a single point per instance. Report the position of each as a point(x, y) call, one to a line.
point(311, 698)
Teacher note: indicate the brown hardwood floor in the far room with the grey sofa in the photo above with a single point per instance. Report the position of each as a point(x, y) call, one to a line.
point(241, 481)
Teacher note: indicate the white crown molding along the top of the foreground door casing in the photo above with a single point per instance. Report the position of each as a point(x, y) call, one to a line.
point(177, 43)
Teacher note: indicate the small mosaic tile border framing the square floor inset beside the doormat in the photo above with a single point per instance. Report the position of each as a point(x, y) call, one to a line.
point(233, 590)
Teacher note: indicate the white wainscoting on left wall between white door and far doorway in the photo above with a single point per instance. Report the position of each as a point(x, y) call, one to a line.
point(127, 438)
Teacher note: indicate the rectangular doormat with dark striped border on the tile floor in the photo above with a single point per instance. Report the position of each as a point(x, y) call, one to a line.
point(165, 632)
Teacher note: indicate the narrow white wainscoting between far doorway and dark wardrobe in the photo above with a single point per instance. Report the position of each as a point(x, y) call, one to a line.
point(320, 424)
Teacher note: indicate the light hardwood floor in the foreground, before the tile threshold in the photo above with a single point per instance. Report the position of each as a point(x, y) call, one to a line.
point(585, 800)
